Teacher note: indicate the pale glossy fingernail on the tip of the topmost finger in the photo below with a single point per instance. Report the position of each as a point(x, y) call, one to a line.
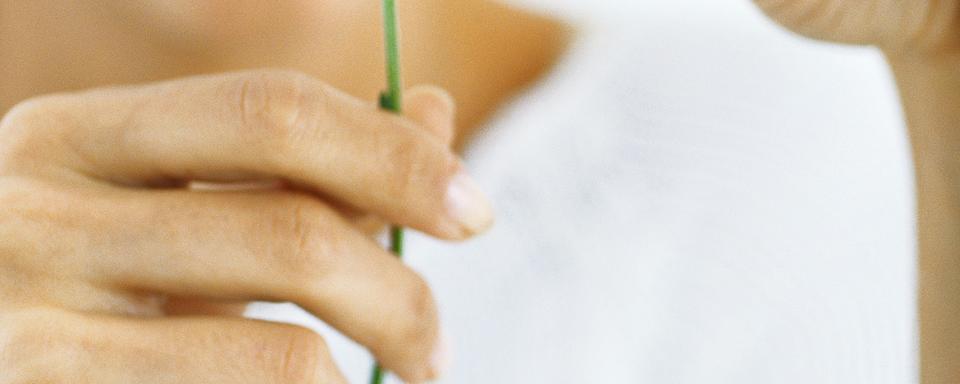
point(467, 206)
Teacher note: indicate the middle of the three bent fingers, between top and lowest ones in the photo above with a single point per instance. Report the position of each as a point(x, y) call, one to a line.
point(274, 246)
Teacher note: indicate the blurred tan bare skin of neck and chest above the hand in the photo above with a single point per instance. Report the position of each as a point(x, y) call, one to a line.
point(482, 52)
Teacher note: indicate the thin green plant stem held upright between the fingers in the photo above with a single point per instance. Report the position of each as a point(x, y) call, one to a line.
point(391, 100)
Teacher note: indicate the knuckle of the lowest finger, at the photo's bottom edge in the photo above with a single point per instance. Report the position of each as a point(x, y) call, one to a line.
point(299, 354)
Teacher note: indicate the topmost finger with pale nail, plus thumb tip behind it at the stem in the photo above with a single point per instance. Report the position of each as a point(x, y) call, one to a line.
point(264, 124)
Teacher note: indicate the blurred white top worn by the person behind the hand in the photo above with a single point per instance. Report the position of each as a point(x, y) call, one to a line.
point(693, 196)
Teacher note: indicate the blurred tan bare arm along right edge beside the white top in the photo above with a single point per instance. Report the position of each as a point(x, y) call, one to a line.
point(930, 89)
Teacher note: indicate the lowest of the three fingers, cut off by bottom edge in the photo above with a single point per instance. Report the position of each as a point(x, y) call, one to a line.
point(52, 346)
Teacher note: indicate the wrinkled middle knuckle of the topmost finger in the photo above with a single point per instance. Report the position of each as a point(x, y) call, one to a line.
point(279, 106)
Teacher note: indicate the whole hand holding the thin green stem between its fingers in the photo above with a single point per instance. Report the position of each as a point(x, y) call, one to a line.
point(101, 241)
